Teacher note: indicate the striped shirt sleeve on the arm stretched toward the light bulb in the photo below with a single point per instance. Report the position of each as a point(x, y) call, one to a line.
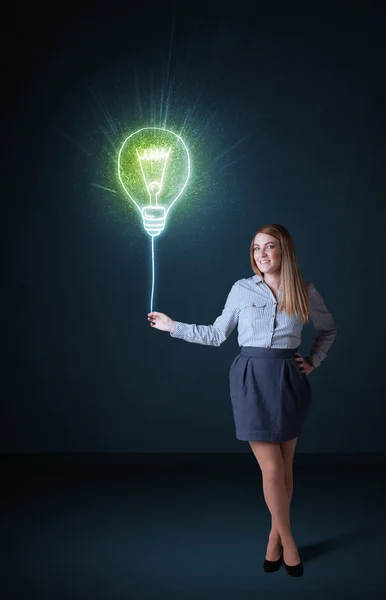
point(216, 334)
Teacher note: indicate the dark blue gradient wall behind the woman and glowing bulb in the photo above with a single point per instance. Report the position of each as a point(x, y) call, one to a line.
point(284, 110)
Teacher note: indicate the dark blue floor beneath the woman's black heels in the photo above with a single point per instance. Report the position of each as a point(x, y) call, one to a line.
point(186, 532)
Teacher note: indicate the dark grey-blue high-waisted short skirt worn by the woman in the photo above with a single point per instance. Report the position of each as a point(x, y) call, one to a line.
point(270, 395)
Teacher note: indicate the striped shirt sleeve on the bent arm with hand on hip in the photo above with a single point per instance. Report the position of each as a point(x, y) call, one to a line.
point(324, 325)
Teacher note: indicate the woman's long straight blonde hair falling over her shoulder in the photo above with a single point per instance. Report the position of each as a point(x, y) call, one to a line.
point(294, 297)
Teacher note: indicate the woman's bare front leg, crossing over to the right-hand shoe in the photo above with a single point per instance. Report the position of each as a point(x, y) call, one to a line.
point(269, 457)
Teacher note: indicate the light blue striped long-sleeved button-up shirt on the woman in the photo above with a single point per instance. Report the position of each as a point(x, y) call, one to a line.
point(252, 307)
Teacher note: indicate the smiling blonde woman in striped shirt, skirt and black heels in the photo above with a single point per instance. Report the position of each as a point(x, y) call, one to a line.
point(269, 386)
